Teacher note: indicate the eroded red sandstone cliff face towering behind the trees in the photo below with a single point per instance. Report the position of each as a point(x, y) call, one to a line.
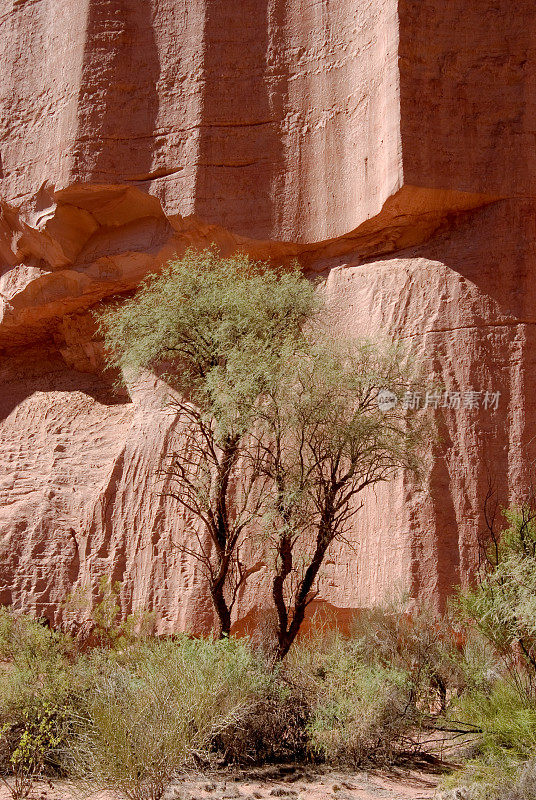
point(389, 146)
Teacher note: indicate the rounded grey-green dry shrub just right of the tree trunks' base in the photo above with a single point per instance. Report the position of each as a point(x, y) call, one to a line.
point(372, 691)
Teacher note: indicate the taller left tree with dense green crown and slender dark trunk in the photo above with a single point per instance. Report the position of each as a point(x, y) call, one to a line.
point(214, 328)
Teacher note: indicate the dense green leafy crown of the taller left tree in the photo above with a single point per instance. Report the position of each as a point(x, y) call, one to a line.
point(215, 325)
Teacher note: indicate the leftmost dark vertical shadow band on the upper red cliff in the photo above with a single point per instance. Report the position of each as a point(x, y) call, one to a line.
point(118, 101)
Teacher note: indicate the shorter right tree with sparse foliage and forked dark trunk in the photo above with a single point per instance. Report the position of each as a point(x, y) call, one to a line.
point(326, 437)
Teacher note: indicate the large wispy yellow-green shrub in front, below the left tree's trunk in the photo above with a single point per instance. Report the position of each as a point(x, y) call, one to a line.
point(148, 717)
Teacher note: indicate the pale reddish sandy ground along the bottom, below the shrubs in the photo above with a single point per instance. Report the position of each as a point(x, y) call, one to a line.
point(287, 783)
